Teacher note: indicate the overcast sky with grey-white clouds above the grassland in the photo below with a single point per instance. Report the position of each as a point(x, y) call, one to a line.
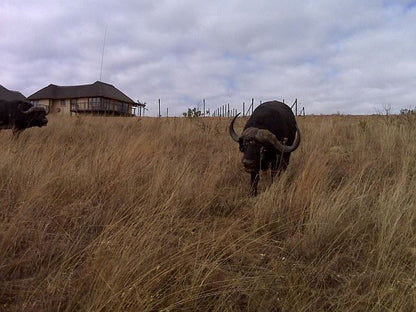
point(344, 56)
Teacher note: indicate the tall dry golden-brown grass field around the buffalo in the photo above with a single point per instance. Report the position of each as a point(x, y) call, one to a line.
point(127, 214)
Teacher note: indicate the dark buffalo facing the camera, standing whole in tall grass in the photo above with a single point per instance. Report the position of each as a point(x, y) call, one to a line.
point(269, 136)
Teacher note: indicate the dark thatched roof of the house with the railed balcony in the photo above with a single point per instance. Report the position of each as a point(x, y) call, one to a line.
point(97, 89)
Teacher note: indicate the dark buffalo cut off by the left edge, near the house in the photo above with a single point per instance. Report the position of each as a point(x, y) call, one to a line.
point(19, 115)
